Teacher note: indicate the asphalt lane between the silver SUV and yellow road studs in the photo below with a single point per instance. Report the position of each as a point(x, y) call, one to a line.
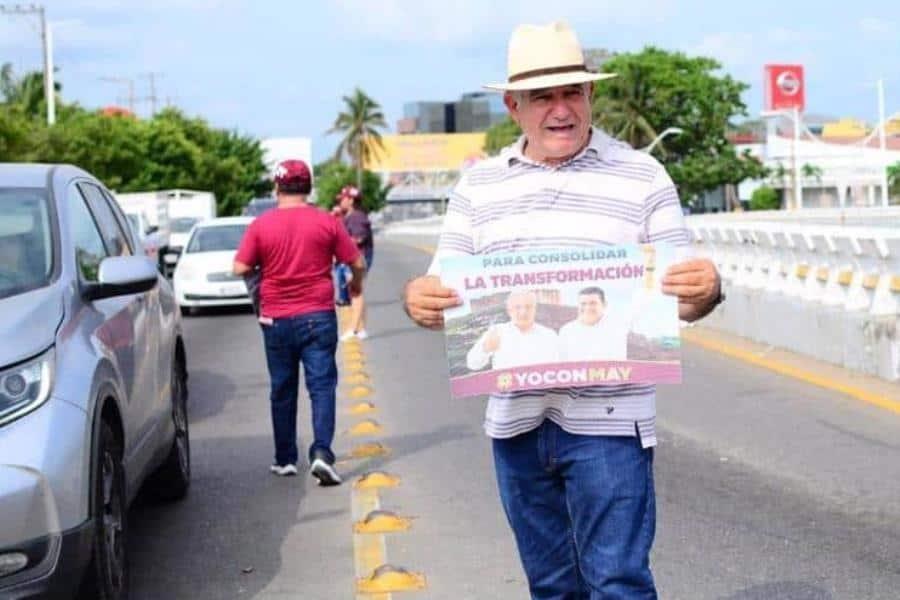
point(241, 532)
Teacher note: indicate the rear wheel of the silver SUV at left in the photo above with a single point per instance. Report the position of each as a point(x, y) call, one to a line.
point(173, 478)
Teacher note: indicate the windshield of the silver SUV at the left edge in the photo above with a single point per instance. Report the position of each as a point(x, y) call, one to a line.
point(26, 246)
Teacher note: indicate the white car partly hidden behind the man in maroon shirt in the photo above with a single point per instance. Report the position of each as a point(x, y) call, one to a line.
point(204, 275)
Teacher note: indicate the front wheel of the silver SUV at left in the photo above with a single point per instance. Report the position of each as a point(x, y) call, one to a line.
point(108, 576)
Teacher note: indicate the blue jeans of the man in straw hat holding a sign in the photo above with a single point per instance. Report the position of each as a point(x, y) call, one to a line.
point(583, 511)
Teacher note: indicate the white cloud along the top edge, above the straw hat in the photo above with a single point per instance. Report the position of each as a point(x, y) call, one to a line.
point(466, 20)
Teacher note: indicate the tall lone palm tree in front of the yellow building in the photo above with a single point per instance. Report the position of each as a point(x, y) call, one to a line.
point(359, 123)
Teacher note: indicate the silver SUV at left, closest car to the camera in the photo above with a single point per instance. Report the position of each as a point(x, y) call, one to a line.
point(93, 395)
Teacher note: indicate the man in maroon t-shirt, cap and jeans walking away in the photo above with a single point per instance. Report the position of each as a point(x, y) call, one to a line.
point(295, 246)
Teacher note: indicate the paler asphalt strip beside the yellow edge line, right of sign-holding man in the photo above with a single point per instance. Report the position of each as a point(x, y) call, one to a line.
point(825, 443)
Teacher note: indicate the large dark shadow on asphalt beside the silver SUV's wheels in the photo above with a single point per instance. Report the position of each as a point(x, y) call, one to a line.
point(233, 547)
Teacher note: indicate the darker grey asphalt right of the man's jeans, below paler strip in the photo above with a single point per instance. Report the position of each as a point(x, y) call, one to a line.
point(728, 531)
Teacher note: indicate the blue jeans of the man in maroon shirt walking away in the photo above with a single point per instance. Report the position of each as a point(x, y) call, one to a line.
point(311, 339)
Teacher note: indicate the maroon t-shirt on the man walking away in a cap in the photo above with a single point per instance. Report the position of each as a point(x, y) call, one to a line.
point(295, 249)
